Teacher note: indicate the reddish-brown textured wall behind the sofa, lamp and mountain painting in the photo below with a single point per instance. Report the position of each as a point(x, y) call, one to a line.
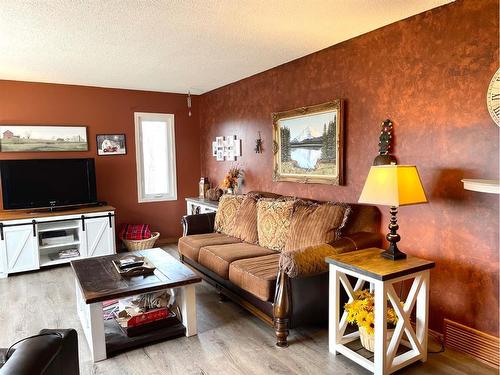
point(429, 74)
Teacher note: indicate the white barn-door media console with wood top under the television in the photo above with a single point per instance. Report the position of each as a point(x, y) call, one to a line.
point(30, 240)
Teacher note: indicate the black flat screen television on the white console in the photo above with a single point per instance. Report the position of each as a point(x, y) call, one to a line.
point(46, 183)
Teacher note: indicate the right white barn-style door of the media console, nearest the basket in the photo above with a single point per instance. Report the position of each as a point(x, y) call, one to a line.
point(99, 237)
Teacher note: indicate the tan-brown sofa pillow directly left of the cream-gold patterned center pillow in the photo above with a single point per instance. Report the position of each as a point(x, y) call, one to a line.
point(245, 226)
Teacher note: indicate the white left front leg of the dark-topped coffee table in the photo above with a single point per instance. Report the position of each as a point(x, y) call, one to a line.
point(91, 318)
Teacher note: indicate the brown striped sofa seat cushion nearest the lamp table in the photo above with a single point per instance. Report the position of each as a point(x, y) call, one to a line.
point(256, 275)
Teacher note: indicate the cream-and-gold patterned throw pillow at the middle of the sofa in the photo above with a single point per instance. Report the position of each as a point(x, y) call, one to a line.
point(273, 222)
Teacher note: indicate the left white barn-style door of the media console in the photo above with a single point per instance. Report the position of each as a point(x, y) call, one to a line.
point(20, 249)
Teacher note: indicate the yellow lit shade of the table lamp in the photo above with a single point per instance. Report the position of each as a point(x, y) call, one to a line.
point(393, 185)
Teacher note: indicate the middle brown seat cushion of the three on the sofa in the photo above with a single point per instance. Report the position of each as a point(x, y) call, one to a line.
point(217, 258)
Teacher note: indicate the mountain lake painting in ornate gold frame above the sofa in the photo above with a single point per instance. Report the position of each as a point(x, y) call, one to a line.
point(308, 144)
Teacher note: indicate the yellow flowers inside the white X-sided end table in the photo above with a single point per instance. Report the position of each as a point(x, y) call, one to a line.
point(361, 311)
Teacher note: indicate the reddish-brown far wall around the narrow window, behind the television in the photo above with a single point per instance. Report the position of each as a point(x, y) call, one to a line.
point(109, 111)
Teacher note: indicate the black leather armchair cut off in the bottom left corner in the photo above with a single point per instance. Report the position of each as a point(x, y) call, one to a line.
point(55, 352)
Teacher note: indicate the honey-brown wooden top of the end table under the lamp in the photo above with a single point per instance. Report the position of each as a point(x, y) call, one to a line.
point(368, 262)
